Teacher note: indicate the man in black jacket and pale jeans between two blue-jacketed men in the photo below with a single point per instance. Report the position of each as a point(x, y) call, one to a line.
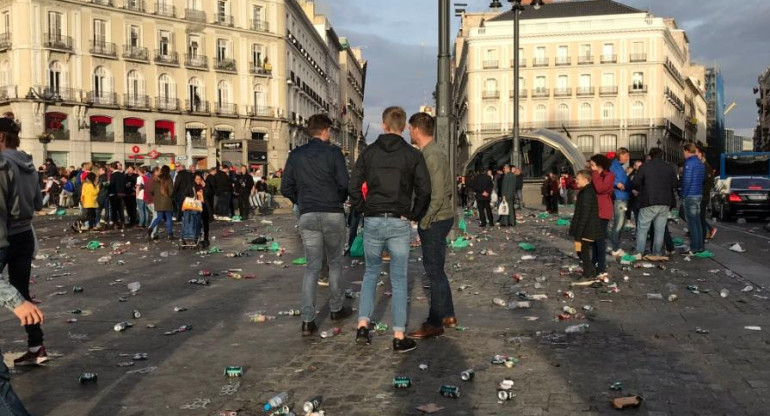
point(656, 183)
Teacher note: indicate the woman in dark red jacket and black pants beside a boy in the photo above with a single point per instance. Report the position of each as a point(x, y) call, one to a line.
point(602, 181)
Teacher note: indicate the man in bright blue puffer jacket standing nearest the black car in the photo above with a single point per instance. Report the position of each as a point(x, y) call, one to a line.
point(693, 177)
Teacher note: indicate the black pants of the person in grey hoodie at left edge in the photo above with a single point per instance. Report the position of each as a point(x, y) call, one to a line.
point(20, 249)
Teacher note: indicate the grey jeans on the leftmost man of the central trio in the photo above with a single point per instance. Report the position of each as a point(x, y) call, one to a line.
point(323, 234)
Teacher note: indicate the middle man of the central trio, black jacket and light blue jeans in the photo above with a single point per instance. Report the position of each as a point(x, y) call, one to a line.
point(393, 172)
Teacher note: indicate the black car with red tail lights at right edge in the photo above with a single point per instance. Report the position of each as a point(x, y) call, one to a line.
point(744, 196)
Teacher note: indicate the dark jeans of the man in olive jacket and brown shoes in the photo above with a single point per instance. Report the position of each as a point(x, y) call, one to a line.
point(433, 259)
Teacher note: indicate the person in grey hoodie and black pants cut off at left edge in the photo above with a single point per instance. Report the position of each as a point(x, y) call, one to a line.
point(18, 234)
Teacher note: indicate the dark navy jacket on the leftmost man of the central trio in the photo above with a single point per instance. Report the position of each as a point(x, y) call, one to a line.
point(316, 178)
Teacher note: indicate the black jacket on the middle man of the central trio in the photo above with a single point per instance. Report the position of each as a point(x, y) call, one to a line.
point(393, 172)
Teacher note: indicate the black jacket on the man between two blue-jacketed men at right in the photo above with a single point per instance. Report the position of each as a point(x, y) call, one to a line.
point(656, 182)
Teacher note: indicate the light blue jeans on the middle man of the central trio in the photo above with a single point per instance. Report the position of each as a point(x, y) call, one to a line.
point(393, 234)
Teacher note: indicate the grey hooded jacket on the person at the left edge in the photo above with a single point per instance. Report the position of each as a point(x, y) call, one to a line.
point(29, 198)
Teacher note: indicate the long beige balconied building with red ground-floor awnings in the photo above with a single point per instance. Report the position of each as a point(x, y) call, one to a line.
point(123, 79)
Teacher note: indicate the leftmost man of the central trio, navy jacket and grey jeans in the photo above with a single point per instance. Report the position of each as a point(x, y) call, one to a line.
point(316, 179)
